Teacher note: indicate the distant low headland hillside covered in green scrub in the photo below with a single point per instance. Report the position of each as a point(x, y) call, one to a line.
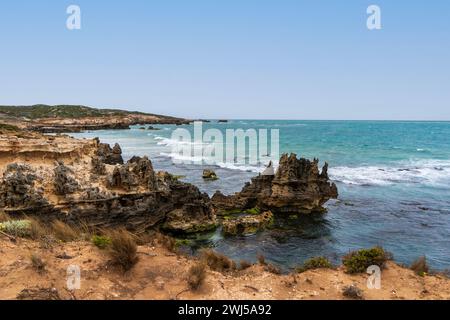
point(63, 111)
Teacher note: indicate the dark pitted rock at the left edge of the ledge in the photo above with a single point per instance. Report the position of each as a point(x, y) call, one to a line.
point(17, 188)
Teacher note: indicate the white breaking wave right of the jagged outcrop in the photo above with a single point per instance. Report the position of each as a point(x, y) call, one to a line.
point(428, 172)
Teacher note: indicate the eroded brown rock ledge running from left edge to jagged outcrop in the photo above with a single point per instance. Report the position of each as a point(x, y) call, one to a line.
point(84, 180)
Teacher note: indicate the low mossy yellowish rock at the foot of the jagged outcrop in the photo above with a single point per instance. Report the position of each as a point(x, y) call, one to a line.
point(247, 224)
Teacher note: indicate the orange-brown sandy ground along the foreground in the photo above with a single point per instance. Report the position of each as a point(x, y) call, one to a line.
point(160, 274)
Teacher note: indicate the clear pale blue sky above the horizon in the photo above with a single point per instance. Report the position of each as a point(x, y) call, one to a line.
point(284, 59)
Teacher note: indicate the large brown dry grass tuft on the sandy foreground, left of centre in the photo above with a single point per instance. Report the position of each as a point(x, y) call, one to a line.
point(123, 249)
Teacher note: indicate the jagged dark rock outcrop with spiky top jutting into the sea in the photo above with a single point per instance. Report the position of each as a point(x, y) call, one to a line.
point(297, 187)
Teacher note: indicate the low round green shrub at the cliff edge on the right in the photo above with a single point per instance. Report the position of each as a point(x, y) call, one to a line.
point(358, 261)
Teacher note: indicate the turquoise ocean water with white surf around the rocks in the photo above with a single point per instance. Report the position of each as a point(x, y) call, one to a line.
point(393, 180)
